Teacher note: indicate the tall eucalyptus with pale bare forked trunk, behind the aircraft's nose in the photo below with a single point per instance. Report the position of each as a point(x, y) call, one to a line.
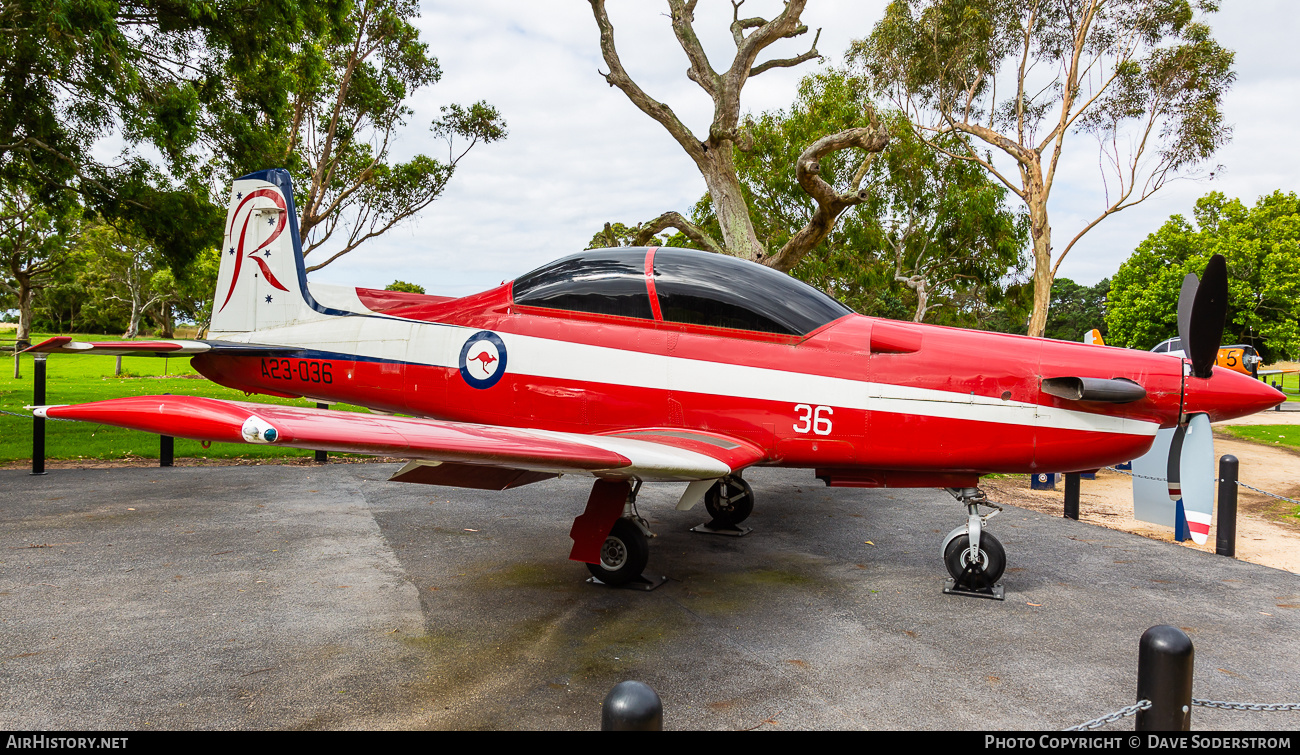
point(1143, 77)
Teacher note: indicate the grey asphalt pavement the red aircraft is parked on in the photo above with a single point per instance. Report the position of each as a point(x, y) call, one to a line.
point(326, 598)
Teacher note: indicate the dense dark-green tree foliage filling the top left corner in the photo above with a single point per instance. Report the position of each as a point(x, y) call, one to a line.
point(172, 83)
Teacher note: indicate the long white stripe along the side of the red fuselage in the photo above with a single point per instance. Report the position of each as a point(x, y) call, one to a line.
point(439, 345)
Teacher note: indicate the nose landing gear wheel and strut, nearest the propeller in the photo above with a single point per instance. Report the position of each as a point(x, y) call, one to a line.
point(974, 558)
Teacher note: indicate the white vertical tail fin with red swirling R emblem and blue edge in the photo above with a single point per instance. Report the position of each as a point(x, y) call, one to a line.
point(263, 281)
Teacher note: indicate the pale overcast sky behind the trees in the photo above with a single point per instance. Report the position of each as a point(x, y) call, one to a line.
point(579, 154)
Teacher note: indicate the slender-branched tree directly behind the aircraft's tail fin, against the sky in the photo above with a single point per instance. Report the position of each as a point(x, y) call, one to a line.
point(348, 105)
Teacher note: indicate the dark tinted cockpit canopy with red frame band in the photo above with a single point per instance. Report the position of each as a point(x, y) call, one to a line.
point(679, 287)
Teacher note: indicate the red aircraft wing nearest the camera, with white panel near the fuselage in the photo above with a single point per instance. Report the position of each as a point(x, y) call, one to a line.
point(458, 454)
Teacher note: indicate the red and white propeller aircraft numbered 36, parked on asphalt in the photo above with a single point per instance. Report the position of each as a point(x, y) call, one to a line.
point(652, 366)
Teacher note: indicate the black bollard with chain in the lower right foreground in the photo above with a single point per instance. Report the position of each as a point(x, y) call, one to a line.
point(1165, 658)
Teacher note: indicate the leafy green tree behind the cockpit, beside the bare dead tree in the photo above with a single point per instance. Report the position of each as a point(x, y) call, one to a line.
point(929, 227)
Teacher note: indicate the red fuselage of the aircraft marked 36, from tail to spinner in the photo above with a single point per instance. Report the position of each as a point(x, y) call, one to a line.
point(863, 396)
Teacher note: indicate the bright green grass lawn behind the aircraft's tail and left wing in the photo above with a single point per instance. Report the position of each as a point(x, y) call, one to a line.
point(76, 380)
